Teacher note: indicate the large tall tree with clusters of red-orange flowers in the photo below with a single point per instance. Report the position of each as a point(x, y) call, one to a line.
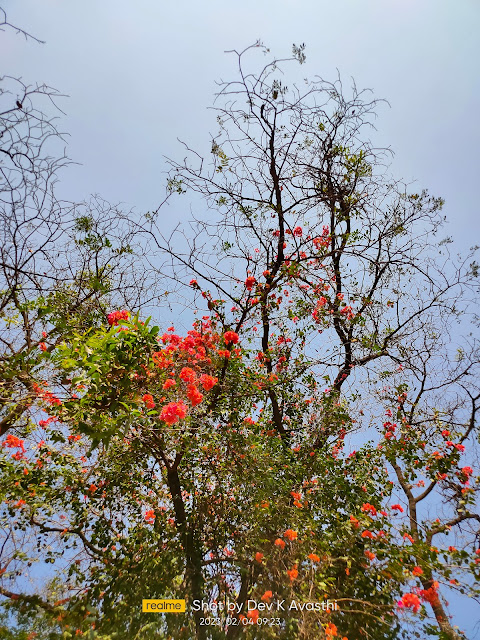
point(217, 465)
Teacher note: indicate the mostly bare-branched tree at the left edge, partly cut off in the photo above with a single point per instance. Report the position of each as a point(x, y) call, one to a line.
point(61, 263)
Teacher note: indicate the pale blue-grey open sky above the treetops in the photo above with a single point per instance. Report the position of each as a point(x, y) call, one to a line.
point(140, 74)
